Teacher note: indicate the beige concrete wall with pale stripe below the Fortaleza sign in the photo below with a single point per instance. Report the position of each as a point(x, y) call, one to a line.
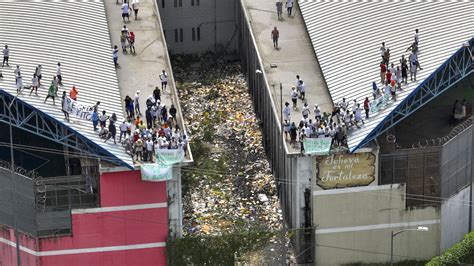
point(355, 224)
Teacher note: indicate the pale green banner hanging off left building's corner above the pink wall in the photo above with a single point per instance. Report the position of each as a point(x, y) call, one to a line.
point(162, 170)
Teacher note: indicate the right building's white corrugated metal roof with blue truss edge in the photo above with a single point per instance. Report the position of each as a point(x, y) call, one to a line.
point(347, 34)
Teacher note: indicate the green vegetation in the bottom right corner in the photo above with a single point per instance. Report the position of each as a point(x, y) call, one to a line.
point(462, 252)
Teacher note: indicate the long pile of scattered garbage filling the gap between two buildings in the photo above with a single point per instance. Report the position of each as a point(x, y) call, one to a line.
point(241, 190)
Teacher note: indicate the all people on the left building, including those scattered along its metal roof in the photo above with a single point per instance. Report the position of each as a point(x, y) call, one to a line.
point(141, 135)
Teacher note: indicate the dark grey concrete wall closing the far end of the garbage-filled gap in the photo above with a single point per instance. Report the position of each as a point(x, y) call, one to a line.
point(215, 18)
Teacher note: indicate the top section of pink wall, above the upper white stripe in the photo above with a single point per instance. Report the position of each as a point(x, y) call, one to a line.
point(126, 188)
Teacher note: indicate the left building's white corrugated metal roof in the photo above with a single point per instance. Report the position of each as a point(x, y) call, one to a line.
point(74, 33)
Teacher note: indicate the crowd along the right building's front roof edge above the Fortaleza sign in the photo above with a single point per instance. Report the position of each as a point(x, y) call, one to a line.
point(348, 115)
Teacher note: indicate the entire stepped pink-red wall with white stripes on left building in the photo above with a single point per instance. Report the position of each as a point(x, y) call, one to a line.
point(106, 228)
